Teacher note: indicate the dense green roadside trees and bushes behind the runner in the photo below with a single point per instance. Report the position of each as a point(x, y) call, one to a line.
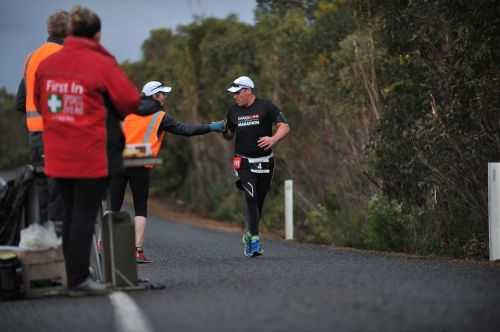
point(392, 104)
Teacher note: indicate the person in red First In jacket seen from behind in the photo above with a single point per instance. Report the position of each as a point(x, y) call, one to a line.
point(82, 94)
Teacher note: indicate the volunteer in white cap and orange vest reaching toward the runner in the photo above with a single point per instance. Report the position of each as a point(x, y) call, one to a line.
point(148, 132)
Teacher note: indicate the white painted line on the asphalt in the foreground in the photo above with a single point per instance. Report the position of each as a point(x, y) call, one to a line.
point(128, 316)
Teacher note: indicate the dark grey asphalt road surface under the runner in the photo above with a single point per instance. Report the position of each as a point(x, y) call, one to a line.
point(211, 286)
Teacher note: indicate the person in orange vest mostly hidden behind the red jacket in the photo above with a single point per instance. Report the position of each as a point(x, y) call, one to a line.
point(50, 201)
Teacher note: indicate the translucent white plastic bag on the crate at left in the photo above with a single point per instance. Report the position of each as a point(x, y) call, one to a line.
point(39, 237)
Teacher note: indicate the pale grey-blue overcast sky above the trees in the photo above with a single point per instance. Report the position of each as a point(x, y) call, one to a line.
point(125, 25)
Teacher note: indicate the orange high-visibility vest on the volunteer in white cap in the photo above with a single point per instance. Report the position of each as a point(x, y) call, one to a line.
point(144, 130)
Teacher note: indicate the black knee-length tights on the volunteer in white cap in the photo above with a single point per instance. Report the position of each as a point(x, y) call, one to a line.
point(138, 179)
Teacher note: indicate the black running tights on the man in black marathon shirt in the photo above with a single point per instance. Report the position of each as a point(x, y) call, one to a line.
point(255, 186)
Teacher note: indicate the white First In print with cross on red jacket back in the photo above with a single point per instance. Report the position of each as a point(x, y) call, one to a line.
point(64, 99)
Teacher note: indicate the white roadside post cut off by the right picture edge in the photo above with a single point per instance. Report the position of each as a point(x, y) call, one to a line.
point(494, 209)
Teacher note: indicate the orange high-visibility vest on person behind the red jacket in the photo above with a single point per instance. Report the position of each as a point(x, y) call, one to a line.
point(33, 118)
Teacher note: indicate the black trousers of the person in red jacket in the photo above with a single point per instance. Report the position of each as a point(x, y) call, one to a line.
point(82, 198)
